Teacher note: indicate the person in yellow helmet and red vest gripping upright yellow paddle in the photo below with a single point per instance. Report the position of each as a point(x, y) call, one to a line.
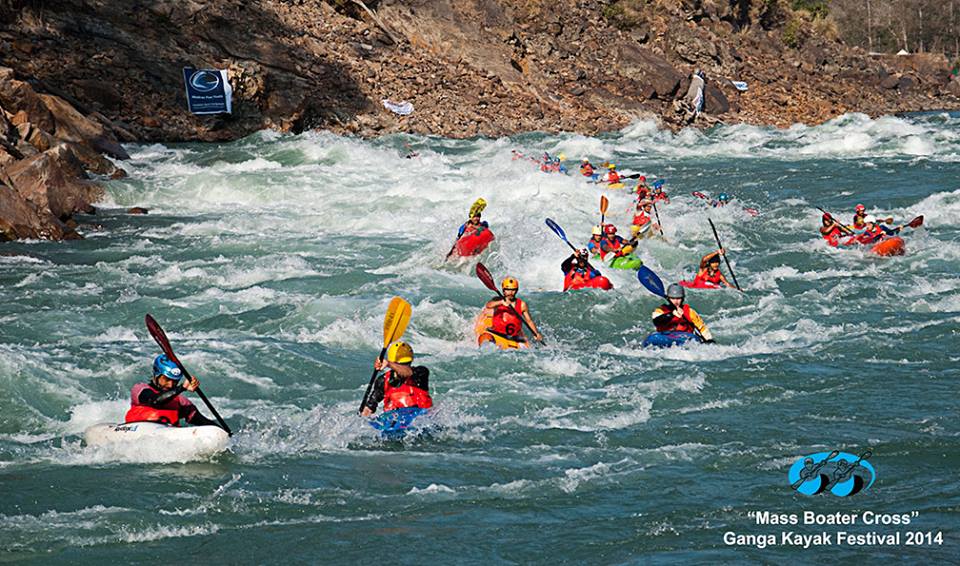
point(401, 385)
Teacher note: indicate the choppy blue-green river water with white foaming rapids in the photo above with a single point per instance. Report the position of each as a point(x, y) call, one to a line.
point(270, 261)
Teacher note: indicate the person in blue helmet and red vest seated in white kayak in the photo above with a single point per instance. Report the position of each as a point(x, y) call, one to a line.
point(161, 400)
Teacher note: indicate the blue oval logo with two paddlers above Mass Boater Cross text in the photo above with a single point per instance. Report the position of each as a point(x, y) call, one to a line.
point(840, 473)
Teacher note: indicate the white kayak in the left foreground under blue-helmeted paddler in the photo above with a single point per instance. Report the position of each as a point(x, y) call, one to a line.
point(197, 440)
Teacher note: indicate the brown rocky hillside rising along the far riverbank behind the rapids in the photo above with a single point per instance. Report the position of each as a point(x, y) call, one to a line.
point(469, 67)
